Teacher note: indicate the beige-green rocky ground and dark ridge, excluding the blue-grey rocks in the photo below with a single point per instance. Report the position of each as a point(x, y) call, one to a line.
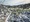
point(6, 10)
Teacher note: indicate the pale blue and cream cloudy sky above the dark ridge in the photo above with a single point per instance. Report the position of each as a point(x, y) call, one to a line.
point(14, 2)
